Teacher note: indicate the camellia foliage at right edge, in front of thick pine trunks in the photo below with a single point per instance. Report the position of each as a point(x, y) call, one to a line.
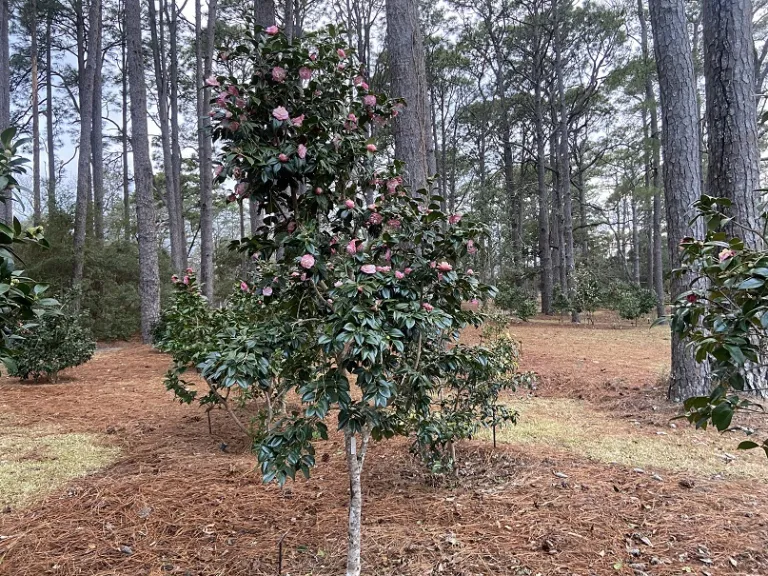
point(725, 317)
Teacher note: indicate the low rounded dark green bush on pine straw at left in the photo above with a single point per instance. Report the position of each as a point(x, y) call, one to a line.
point(51, 344)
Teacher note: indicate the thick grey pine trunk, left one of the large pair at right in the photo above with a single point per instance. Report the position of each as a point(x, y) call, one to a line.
point(682, 168)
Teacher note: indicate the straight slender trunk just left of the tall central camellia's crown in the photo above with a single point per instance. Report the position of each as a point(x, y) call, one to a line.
point(204, 66)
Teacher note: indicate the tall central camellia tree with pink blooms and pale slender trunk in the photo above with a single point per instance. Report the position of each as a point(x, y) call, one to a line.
point(353, 306)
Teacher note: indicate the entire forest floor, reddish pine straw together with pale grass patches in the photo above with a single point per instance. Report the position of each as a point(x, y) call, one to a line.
point(104, 474)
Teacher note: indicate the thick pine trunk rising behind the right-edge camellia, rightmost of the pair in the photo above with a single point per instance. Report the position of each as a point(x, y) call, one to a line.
point(729, 68)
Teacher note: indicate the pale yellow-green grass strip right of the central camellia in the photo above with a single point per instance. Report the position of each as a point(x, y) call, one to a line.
point(572, 426)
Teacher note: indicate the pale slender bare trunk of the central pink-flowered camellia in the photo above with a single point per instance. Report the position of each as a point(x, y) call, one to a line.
point(355, 461)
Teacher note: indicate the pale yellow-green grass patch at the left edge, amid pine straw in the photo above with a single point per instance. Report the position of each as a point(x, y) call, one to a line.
point(38, 460)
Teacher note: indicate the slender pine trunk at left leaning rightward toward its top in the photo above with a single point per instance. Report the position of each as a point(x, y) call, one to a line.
point(86, 120)
